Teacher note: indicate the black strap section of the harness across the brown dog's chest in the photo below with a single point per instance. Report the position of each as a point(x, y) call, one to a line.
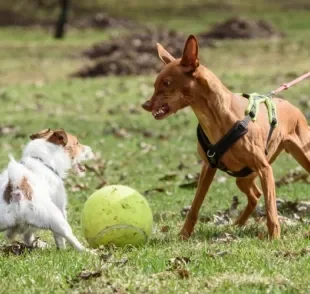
point(216, 151)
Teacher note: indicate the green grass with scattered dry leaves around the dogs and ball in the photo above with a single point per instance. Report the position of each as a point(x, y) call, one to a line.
point(35, 93)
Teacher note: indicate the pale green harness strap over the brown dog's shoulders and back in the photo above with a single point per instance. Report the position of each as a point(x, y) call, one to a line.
point(253, 108)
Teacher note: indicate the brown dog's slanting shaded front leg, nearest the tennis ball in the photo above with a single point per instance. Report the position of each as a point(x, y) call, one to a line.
point(205, 179)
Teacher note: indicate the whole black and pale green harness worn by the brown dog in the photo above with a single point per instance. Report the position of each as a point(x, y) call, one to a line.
point(214, 152)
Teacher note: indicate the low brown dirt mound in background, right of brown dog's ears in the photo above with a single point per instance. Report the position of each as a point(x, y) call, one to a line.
point(242, 28)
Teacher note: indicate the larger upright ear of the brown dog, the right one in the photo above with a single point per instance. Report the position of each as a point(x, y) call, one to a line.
point(190, 54)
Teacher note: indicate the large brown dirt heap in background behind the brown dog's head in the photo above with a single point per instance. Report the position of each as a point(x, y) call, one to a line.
point(133, 54)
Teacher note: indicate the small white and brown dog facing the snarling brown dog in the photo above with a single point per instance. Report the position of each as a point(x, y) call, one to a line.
point(32, 192)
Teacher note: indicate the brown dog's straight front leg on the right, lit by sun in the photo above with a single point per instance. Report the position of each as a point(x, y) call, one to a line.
point(268, 185)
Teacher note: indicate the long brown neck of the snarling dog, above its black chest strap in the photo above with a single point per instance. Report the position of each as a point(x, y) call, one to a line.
point(212, 104)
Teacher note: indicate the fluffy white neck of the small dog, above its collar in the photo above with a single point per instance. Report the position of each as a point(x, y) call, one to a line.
point(49, 154)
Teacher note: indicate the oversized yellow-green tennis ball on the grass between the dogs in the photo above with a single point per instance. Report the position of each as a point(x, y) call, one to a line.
point(116, 215)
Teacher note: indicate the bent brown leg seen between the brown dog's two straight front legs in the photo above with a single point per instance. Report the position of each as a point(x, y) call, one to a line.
point(250, 189)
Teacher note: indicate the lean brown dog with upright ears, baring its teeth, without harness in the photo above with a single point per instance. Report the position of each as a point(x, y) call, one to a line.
point(183, 82)
